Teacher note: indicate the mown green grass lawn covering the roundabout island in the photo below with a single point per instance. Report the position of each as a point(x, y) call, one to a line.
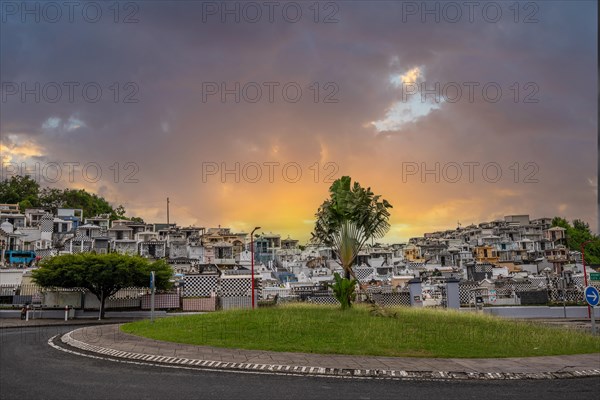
point(329, 330)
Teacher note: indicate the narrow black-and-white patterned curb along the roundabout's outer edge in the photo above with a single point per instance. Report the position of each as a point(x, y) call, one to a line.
point(67, 343)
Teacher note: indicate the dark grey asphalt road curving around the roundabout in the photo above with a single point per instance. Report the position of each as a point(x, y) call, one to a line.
point(30, 369)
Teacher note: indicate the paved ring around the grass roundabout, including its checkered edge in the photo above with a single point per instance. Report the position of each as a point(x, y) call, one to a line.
point(107, 341)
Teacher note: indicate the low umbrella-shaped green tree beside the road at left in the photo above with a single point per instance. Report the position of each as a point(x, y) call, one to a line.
point(101, 274)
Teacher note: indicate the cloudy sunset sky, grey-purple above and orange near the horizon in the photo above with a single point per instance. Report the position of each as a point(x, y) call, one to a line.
point(243, 113)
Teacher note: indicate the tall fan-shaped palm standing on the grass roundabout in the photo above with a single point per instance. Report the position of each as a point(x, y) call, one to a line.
point(351, 217)
